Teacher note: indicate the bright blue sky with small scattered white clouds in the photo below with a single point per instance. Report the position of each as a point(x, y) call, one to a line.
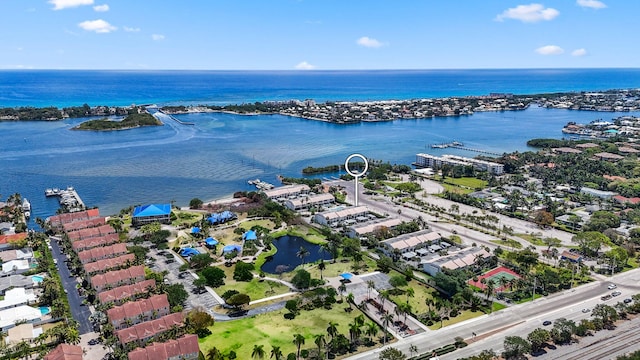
point(317, 34)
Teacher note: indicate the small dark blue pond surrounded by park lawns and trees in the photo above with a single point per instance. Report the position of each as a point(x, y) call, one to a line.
point(286, 258)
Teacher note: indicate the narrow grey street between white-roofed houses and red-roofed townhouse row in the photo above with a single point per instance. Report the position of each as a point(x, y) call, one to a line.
point(79, 311)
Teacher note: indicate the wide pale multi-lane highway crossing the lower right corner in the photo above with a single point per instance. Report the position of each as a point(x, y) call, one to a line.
point(519, 319)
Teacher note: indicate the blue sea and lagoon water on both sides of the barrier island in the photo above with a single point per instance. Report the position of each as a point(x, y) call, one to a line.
point(216, 157)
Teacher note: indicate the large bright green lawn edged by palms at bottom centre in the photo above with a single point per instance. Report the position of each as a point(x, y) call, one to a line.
point(273, 329)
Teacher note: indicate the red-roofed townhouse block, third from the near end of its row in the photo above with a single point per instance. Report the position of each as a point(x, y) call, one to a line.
point(136, 312)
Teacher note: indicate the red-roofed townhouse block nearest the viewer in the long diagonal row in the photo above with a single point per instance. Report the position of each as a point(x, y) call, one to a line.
point(183, 348)
